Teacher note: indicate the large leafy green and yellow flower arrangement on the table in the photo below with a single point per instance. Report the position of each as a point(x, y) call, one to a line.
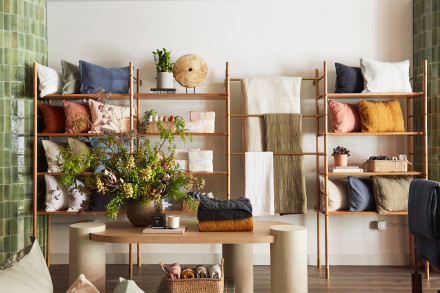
point(132, 169)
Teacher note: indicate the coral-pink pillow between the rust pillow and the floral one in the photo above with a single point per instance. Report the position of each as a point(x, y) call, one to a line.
point(77, 117)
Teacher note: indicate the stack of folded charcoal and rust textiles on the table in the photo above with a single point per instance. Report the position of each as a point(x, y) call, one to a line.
point(225, 215)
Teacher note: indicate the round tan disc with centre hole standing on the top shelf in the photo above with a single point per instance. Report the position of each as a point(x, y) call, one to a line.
point(190, 70)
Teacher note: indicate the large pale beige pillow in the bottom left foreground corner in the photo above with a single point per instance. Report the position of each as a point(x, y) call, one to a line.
point(26, 271)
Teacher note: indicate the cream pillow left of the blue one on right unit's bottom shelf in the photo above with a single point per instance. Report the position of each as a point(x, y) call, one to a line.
point(337, 194)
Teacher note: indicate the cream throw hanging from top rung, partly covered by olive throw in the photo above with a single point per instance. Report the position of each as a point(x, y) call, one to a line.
point(263, 95)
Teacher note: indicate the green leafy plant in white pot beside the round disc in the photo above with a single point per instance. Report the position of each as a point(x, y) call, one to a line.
point(164, 69)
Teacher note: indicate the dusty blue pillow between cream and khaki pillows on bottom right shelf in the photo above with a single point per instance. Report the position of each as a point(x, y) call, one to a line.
point(360, 195)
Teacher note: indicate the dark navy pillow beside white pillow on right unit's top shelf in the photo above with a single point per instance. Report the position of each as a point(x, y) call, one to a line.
point(348, 79)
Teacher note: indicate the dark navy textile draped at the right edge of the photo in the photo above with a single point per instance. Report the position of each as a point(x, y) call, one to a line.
point(422, 208)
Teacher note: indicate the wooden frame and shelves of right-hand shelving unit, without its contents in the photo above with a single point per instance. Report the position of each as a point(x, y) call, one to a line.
point(324, 169)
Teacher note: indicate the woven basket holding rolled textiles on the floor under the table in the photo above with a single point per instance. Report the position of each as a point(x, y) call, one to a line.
point(196, 285)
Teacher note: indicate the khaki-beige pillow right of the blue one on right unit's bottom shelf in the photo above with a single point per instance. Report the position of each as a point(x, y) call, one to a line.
point(391, 193)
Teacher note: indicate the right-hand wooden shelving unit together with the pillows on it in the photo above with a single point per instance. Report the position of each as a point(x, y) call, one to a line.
point(374, 93)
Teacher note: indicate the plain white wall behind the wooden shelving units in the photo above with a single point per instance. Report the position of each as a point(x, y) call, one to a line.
point(257, 38)
